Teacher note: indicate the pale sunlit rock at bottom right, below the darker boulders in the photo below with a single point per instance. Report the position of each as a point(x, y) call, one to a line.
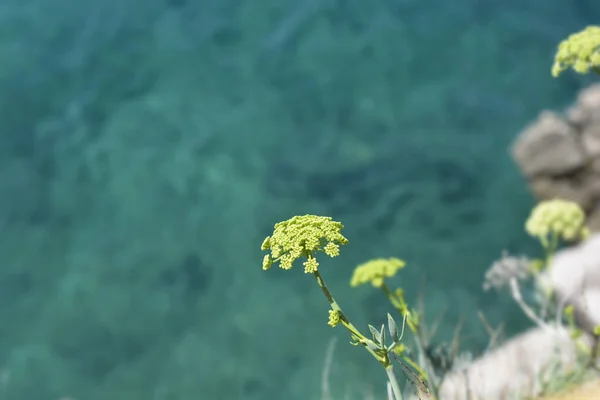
point(519, 366)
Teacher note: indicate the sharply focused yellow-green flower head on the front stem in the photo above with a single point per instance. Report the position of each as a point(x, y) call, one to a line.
point(303, 236)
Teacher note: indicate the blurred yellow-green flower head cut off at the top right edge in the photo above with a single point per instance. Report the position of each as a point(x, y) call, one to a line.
point(581, 51)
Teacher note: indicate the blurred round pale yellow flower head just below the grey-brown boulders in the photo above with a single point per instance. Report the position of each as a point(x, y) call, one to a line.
point(562, 218)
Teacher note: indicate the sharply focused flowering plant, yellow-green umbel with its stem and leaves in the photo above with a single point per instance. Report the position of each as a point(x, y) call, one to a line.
point(303, 237)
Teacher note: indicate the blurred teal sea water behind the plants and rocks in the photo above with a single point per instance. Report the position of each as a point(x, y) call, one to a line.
point(148, 147)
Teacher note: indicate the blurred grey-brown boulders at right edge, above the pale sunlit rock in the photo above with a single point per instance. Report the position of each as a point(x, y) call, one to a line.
point(559, 154)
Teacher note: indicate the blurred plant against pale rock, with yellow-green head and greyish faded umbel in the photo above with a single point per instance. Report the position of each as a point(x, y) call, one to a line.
point(552, 223)
